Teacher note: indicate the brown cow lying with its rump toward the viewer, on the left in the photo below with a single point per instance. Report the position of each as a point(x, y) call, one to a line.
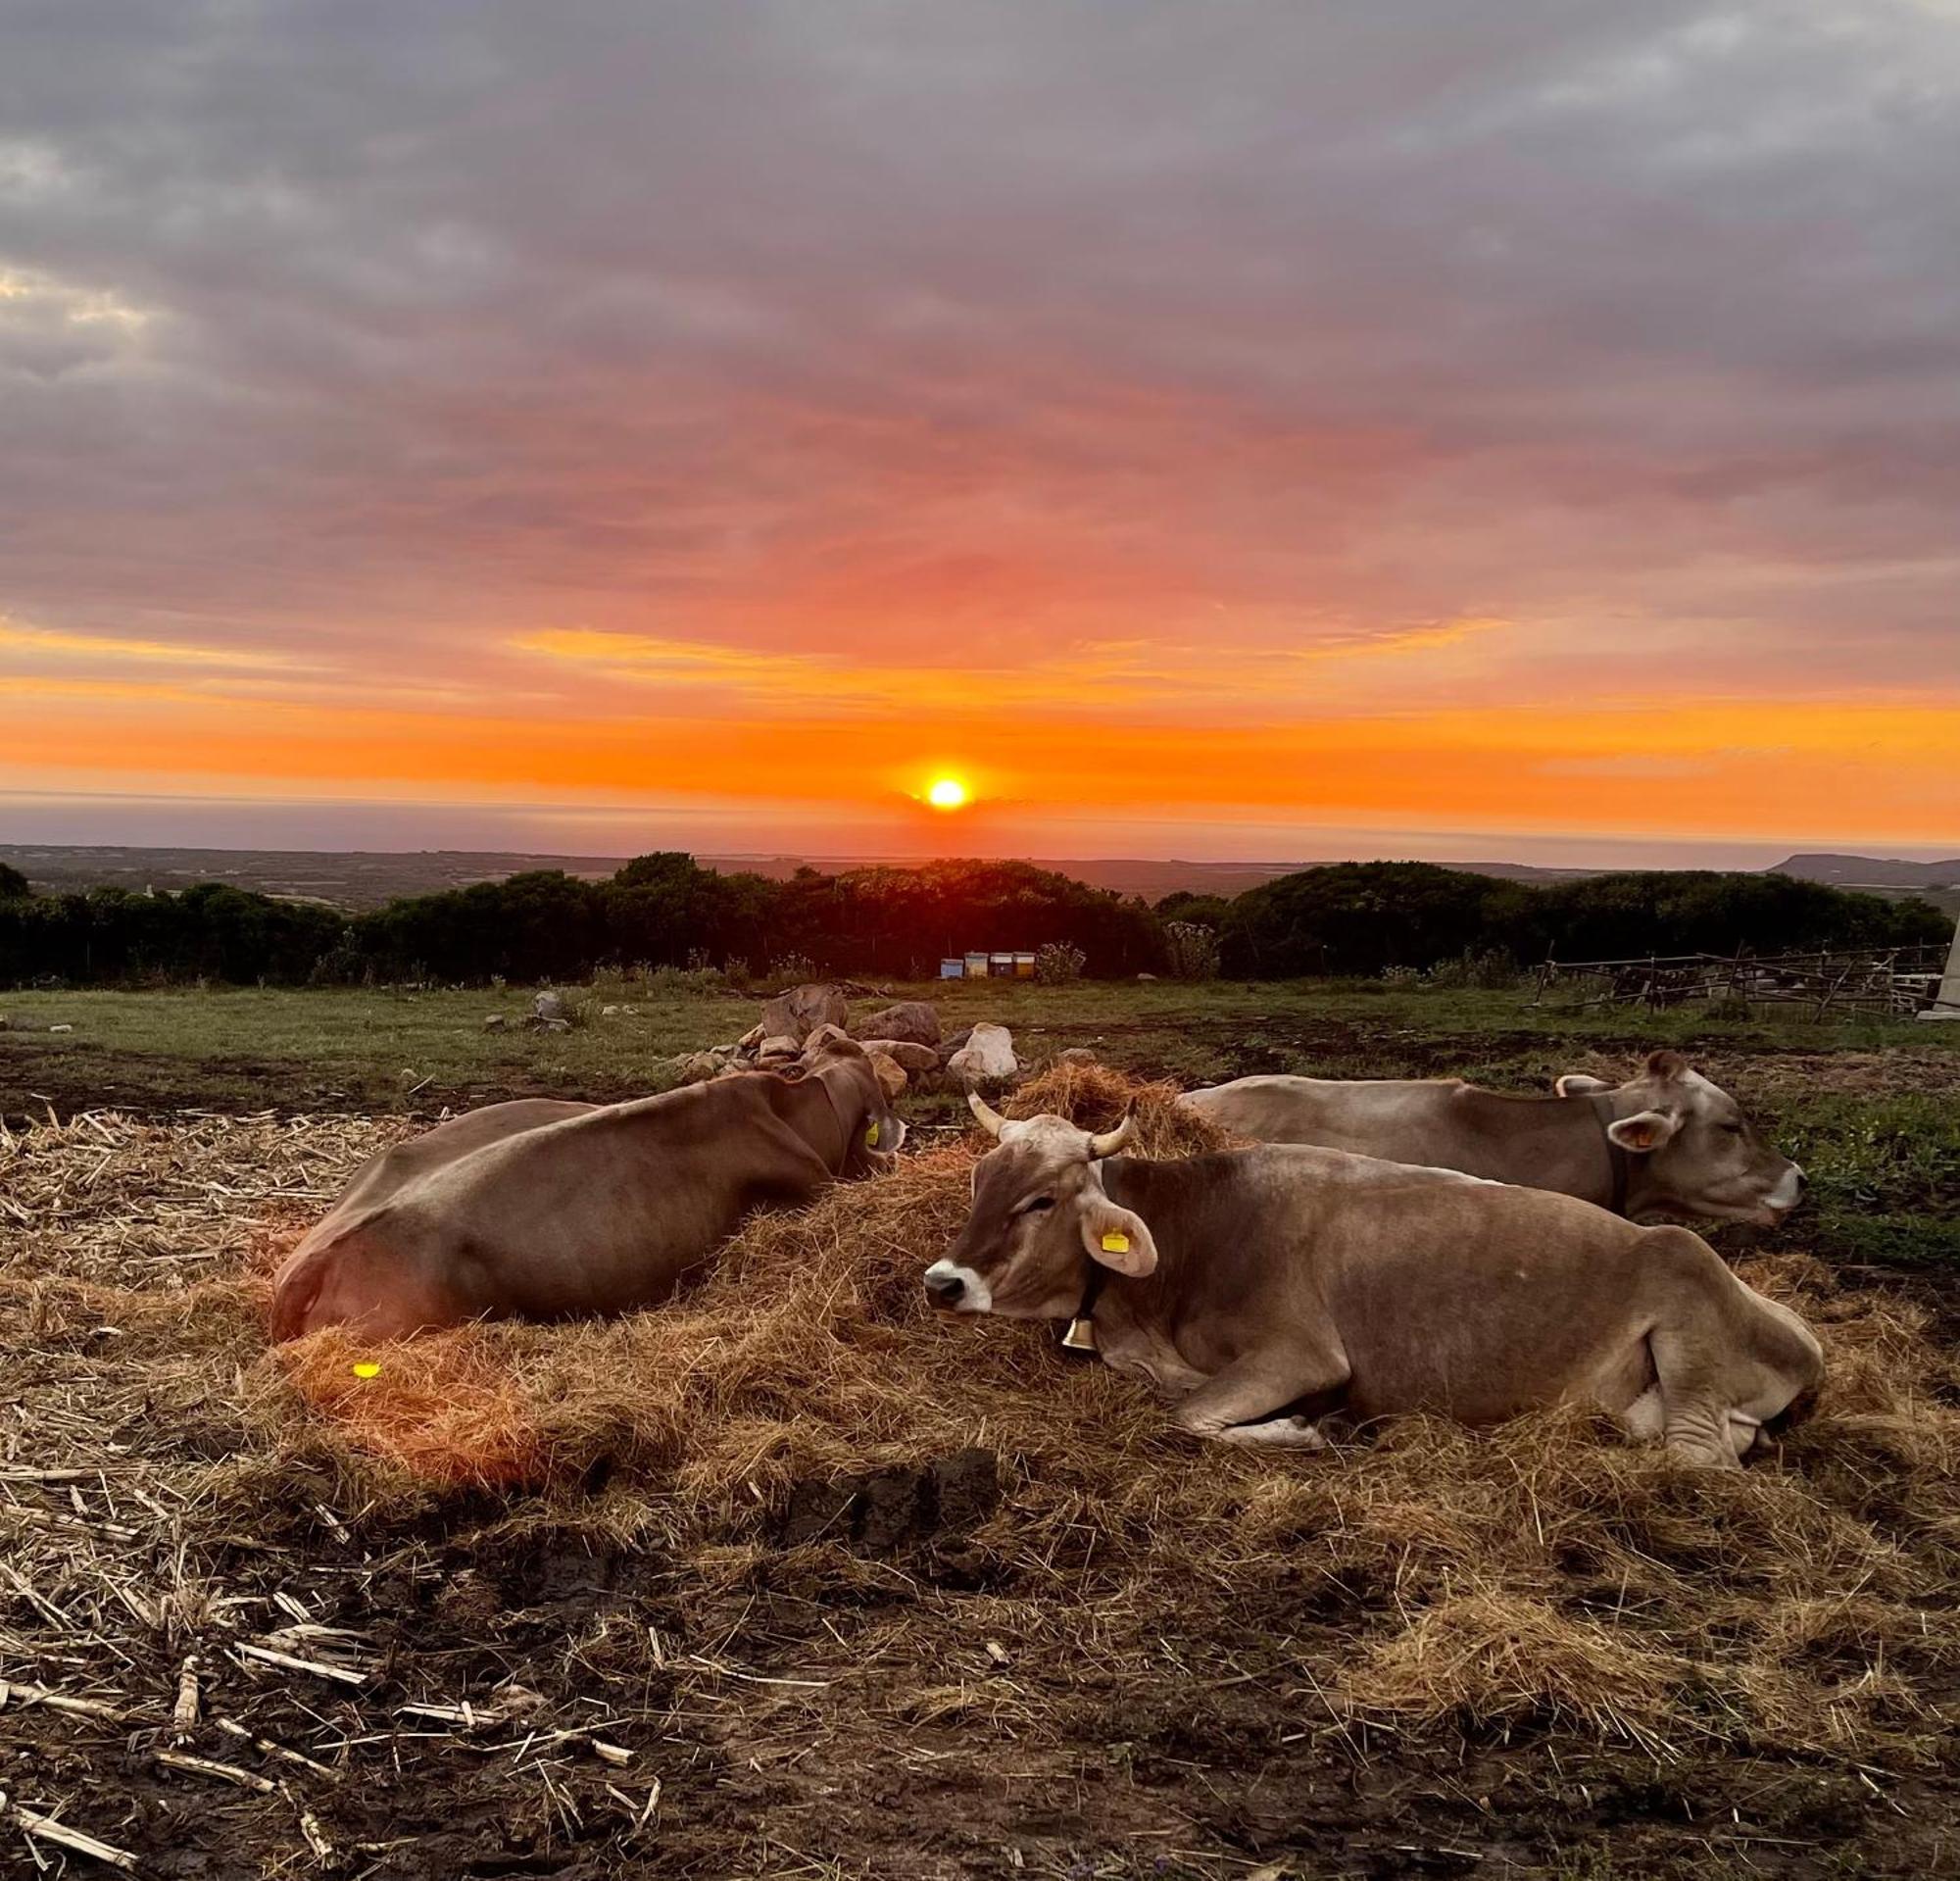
point(544, 1210)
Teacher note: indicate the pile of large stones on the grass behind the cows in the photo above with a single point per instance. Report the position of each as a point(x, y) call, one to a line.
point(903, 1041)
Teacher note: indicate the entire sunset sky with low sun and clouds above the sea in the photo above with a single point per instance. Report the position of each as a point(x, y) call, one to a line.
point(1038, 436)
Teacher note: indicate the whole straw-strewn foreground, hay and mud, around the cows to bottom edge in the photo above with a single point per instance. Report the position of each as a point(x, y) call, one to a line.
point(552, 1614)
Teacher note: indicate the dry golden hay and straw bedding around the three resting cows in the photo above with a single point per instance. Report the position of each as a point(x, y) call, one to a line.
point(1534, 1576)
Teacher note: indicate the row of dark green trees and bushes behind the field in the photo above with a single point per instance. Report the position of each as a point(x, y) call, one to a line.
point(665, 910)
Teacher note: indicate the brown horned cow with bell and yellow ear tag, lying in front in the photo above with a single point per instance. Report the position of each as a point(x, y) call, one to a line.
point(1265, 1288)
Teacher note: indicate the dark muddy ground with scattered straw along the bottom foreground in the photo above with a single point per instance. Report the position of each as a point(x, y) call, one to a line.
point(1032, 1768)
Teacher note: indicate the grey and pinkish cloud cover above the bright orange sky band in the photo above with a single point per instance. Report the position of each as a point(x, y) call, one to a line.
point(465, 313)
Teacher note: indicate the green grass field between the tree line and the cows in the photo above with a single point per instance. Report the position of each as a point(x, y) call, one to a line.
point(1873, 1110)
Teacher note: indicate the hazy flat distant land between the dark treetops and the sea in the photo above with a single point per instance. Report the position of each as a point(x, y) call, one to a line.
point(369, 879)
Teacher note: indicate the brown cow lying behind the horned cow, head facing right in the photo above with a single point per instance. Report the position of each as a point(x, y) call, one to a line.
point(1665, 1143)
